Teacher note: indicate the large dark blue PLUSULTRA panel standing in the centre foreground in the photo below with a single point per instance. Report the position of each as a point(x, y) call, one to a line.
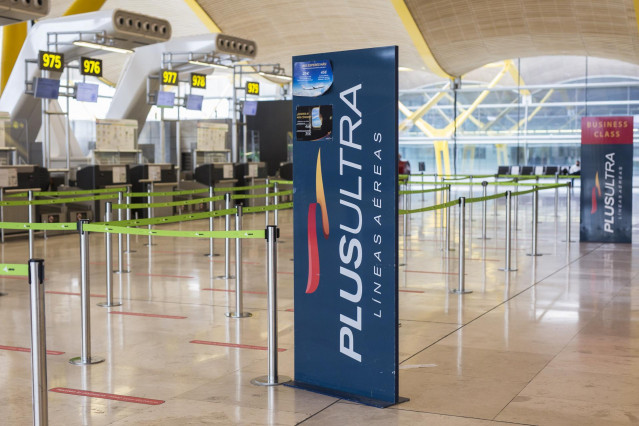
point(345, 226)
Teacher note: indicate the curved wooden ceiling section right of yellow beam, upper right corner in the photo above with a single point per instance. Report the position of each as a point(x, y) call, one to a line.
point(466, 34)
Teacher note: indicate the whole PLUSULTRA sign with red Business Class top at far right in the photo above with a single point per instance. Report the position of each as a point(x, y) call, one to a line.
point(606, 179)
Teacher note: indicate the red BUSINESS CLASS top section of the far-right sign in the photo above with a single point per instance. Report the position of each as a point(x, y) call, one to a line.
point(606, 130)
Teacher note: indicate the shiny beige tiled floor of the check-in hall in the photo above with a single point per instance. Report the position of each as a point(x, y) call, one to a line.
point(554, 343)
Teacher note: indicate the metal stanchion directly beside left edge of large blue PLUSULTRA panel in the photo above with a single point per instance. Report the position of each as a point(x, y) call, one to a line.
point(272, 378)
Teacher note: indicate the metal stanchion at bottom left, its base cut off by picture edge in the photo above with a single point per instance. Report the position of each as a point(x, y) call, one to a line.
point(38, 343)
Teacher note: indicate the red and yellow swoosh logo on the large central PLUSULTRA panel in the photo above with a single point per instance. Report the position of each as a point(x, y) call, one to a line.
point(313, 250)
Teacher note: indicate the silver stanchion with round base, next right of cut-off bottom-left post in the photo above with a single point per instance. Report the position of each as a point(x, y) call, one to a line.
point(85, 355)
